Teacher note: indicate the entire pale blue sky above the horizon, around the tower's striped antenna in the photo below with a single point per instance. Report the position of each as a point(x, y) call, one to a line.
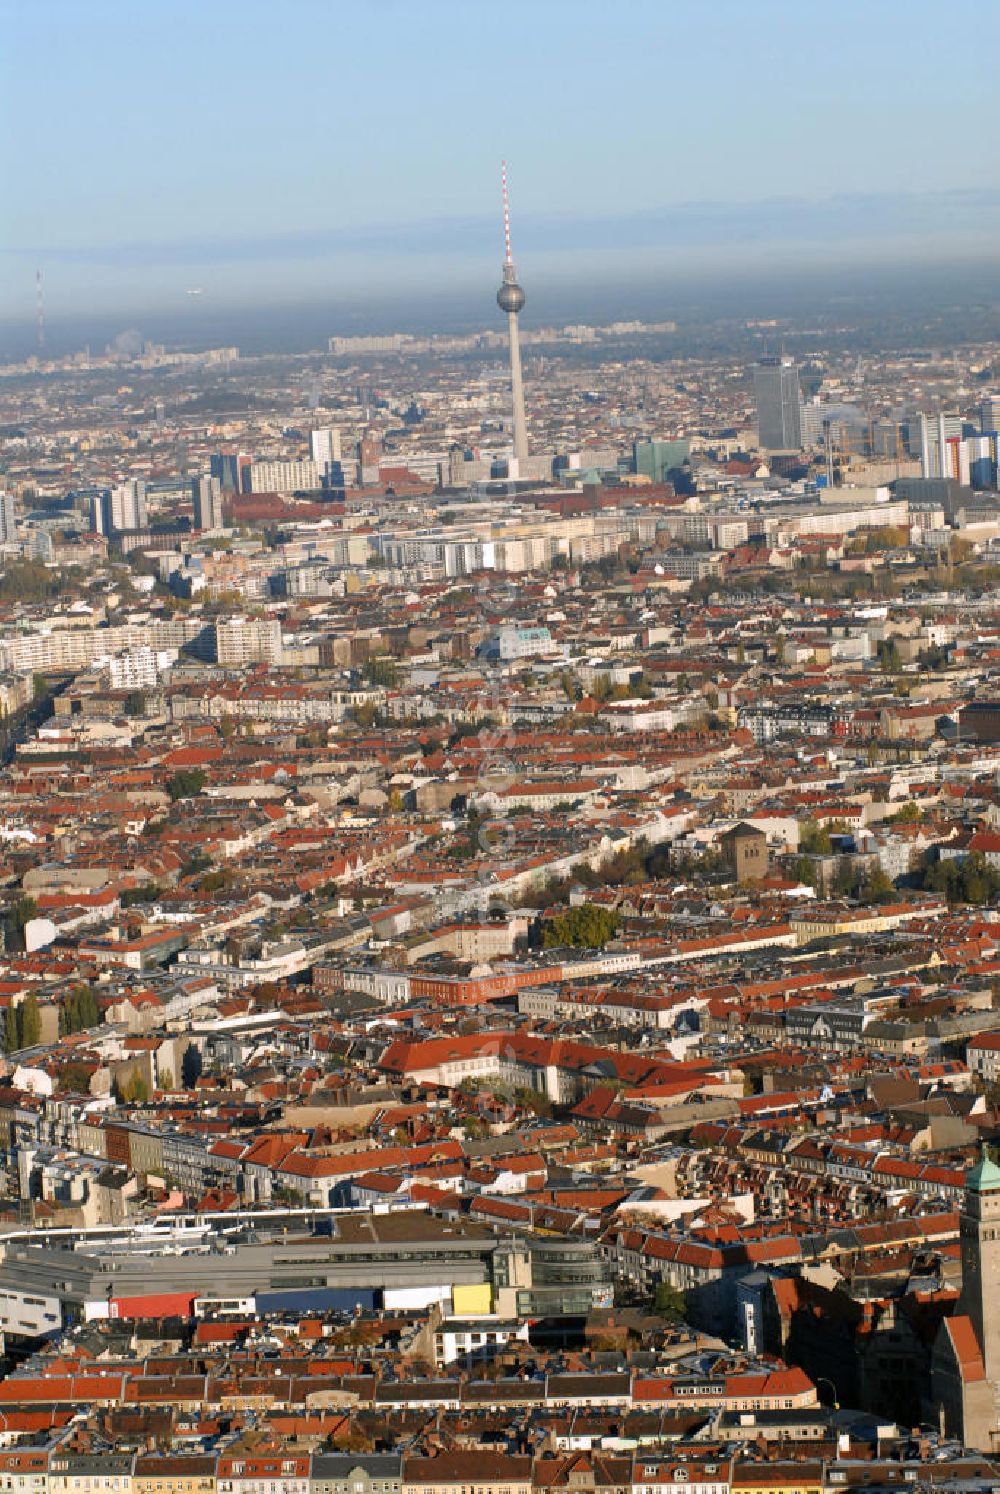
point(273, 150)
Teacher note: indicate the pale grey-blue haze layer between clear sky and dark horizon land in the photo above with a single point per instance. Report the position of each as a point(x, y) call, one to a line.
point(383, 262)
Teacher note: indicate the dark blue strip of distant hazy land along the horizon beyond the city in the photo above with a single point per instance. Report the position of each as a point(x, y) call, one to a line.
point(685, 297)
